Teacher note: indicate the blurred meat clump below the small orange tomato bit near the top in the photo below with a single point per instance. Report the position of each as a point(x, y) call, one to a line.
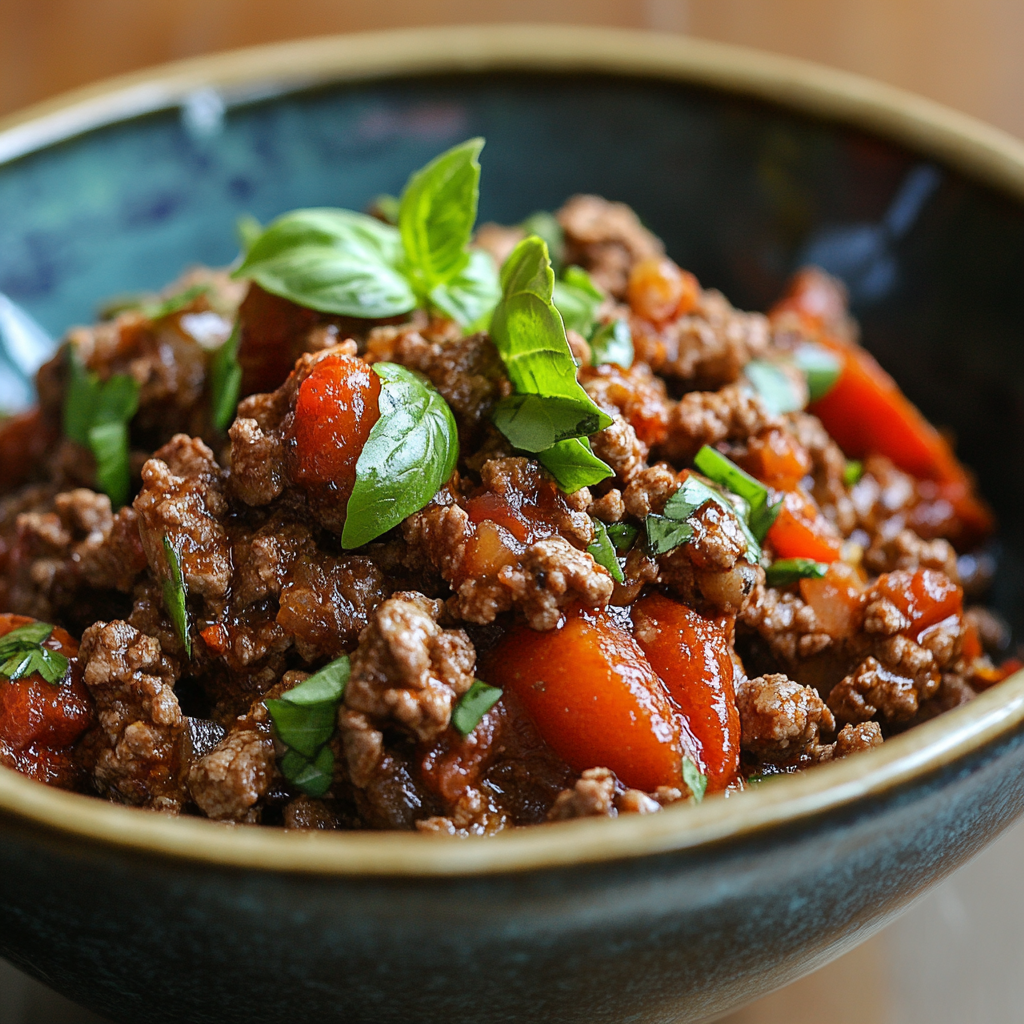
point(708, 348)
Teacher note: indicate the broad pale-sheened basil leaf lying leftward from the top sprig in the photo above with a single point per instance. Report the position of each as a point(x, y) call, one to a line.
point(332, 261)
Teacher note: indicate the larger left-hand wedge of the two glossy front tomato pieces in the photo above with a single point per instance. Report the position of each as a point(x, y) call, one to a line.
point(593, 698)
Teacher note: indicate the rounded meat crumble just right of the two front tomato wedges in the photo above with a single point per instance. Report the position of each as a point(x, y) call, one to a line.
point(782, 721)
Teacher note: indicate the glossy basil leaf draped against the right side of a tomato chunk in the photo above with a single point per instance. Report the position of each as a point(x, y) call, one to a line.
point(411, 453)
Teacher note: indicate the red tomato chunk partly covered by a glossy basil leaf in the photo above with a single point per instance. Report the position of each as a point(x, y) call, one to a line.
point(336, 408)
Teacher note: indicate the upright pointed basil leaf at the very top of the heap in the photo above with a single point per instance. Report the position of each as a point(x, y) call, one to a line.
point(438, 212)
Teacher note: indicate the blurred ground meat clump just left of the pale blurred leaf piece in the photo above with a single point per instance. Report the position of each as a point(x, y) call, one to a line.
point(710, 417)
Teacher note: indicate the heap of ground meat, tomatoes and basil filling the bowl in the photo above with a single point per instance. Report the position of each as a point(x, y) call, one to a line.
point(367, 534)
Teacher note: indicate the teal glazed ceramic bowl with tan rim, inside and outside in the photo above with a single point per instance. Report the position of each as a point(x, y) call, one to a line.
point(747, 165)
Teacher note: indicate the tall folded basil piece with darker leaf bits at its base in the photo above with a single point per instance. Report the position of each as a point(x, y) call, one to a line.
point(550, 413)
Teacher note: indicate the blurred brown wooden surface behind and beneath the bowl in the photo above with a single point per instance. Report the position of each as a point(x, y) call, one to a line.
point(957, 958)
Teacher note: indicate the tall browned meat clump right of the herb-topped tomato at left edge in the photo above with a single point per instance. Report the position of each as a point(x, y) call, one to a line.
point(135, 753)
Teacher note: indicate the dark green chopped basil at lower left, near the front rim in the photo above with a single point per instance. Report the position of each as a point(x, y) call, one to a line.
point(306, 718)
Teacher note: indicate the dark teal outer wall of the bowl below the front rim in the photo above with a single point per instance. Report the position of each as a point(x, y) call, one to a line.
point(679, 937)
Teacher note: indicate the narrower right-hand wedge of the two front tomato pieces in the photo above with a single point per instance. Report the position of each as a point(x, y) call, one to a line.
point(692, 656)
